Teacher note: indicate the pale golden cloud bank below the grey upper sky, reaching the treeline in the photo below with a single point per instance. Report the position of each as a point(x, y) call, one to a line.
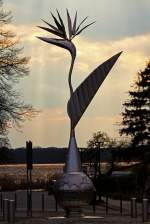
point(48, 87)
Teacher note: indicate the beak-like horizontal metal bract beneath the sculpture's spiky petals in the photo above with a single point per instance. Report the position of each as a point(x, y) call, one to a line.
point(68, 45)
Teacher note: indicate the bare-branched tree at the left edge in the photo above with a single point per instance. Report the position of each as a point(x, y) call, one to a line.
point(13, 66)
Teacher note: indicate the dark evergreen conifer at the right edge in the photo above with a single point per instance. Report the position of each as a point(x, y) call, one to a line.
point(136, 115)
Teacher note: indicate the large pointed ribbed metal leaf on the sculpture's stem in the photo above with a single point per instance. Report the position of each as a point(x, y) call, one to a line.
point(84, 94)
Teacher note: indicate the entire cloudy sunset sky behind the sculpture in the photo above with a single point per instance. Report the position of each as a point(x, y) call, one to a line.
point(121, 25)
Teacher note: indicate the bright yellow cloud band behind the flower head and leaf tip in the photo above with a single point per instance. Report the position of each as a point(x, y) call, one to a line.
point(88, 52)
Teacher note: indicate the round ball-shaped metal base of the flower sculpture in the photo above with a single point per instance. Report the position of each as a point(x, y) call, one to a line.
point(73, 191)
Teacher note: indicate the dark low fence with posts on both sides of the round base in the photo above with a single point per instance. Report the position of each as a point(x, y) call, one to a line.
point(12, 203)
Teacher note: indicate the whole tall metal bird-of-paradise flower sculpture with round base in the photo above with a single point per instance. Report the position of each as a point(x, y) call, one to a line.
point(74, 188)
